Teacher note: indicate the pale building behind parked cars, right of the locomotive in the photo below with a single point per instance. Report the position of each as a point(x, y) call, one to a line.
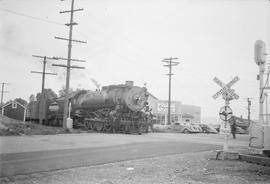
point(179, 111)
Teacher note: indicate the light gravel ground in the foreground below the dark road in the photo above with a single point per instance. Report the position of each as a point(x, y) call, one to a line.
point(187, 168)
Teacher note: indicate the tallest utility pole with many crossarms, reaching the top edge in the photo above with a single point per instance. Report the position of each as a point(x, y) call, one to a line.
point(68, 66)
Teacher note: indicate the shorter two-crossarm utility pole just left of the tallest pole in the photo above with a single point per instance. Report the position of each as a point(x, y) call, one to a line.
point(42, 101)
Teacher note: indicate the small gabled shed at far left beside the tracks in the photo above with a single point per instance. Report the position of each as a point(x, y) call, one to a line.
point(14, 110)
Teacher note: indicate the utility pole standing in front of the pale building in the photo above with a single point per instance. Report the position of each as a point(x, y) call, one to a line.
point(170, 63)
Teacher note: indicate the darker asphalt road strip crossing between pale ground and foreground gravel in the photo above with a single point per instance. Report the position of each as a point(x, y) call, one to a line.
point(30, 162)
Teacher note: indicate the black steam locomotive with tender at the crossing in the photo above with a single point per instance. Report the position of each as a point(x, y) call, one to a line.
point(115, 108)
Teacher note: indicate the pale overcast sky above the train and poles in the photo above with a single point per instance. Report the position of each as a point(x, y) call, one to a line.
point(127, 39)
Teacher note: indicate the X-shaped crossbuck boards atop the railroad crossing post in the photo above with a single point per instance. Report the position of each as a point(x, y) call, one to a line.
point(226, 90)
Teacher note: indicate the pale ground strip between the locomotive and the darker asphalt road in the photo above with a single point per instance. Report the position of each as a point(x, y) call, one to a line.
point(18, 144)
